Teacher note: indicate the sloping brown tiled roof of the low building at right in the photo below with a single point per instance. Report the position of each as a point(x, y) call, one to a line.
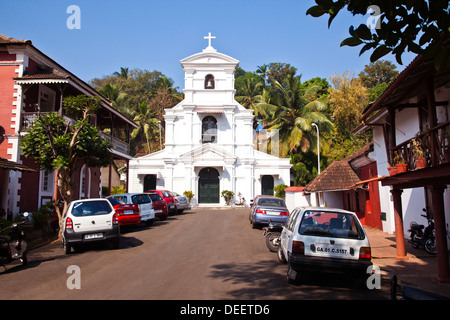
point(338, 176)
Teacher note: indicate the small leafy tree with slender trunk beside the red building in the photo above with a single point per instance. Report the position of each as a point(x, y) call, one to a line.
point(58, 145)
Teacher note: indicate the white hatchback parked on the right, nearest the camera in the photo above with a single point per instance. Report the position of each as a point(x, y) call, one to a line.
point(324, 239)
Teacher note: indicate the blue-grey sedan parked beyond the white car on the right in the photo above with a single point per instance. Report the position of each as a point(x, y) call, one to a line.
point(265, 208)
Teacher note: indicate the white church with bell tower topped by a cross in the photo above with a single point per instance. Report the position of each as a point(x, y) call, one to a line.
point(209, 141)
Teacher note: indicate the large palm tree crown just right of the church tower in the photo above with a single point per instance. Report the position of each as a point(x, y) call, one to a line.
point(291, 113)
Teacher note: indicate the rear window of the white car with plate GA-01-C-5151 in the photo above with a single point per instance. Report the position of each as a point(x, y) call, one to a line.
point(331, 224)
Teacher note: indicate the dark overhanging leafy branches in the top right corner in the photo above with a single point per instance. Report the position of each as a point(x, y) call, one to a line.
point(420, 26)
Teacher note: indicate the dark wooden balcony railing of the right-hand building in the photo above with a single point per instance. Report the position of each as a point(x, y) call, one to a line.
point(435, 144)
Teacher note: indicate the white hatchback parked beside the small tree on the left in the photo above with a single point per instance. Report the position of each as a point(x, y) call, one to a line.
point(90, 220)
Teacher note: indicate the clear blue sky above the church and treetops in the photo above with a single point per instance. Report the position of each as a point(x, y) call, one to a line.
point(157, 34)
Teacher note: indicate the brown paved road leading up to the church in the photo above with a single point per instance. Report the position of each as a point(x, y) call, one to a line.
point(200, 254)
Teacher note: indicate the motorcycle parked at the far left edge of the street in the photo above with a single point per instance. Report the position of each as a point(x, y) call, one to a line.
point(13, 246)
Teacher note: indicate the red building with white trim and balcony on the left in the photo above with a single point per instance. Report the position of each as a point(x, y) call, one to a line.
point(31, 81)
